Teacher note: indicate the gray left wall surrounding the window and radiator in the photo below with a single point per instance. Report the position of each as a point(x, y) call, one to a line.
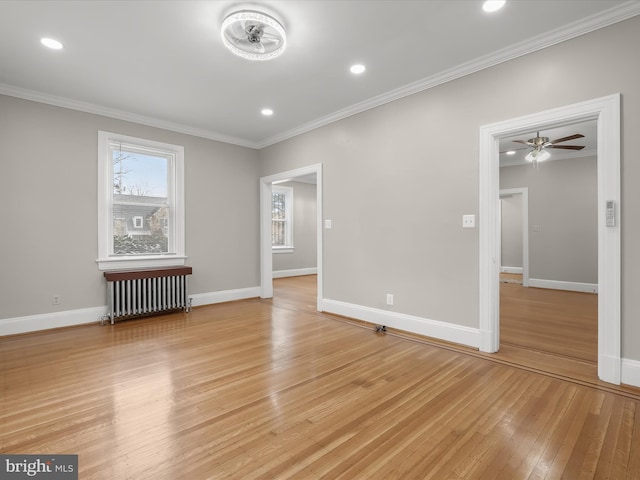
point(48, 193)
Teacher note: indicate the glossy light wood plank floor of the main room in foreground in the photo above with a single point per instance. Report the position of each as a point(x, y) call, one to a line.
point(271, 389)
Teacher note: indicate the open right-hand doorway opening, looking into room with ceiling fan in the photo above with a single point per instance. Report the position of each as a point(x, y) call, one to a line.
point(556, 320)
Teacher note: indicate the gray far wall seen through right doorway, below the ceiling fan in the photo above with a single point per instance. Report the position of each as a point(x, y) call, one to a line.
point(563, 197)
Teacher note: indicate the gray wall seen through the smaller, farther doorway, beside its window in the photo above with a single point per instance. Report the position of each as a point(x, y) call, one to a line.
point(304, 230)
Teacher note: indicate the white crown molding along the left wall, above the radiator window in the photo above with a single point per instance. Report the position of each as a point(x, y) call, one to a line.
point(86, 107)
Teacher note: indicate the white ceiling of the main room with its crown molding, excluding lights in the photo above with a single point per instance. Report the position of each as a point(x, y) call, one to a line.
point(162, 63)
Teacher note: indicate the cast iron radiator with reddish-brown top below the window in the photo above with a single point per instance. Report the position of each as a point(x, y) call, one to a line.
point(135, 293)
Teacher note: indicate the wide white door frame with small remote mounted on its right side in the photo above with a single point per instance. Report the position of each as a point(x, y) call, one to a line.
point(606, 111)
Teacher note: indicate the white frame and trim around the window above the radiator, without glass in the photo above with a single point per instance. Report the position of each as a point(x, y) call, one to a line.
point(176, 241)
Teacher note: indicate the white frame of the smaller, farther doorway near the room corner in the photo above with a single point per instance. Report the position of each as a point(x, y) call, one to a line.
point(266, 253)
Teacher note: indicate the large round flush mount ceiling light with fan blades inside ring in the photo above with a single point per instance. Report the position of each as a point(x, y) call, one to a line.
point(253, 35)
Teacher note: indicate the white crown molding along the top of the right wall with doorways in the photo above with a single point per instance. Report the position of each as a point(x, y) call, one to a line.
point(595, 22)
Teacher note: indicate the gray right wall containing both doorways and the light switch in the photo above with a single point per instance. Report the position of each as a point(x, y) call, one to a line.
point(398, 178)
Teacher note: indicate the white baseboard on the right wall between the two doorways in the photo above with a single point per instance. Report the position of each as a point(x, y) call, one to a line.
point(409, 323)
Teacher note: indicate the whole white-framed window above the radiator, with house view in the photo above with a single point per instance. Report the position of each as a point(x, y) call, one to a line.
point(141, 203)
